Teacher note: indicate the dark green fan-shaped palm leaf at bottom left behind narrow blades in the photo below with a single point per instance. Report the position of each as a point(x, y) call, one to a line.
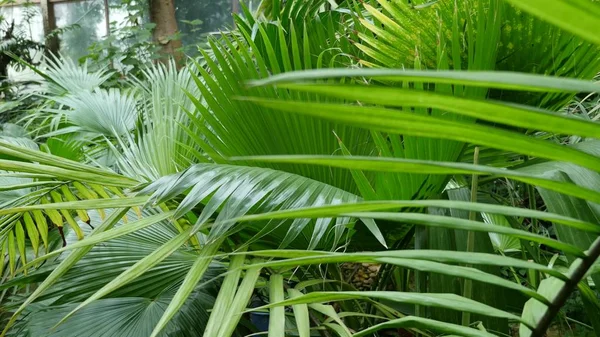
point(133, 310)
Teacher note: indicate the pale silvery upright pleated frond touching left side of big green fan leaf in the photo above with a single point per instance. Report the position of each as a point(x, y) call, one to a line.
point(159, 149)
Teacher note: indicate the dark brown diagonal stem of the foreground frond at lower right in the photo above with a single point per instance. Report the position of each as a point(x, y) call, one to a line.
point(563, 294)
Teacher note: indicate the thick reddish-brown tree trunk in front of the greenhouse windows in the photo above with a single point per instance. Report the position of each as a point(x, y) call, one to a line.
point(162, 13)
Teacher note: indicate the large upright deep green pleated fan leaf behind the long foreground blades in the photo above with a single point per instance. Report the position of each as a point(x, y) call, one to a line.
point(233, 127)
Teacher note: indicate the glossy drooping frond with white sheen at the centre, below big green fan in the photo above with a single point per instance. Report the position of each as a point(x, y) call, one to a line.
point(234, 191)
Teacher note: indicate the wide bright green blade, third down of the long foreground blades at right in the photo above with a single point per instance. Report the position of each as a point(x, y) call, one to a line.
point(408, 123)
